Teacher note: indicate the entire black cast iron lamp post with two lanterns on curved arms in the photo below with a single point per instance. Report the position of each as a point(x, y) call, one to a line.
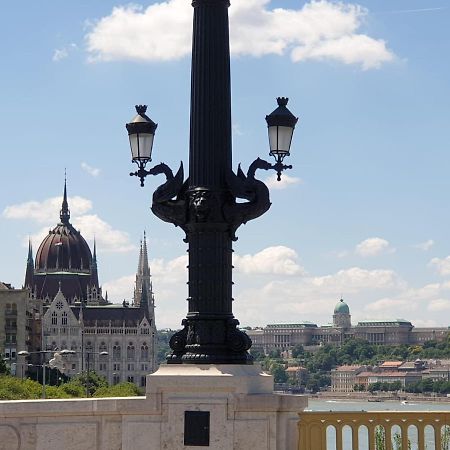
point(204, 205)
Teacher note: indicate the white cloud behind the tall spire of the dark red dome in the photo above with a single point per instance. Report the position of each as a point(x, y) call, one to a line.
point(47, 212)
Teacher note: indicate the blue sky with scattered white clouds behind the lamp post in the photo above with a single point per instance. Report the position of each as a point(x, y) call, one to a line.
point(364, 212)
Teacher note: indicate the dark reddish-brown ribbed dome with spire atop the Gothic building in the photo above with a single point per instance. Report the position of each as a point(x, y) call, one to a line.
point(64, 262)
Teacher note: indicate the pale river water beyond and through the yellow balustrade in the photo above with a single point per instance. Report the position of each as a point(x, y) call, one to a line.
point(339, 405)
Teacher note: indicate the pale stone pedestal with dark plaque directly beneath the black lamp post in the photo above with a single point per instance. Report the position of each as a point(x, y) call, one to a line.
point(221, 407)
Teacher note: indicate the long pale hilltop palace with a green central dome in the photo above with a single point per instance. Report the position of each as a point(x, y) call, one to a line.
point(284, 337)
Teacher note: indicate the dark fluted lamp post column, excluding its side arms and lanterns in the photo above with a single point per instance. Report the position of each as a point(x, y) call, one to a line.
point(211, 334)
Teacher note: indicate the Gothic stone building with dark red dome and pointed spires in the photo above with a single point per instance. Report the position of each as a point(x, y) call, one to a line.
point(118, 341)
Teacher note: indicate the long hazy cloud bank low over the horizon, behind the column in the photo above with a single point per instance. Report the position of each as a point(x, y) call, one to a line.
point(287, 293)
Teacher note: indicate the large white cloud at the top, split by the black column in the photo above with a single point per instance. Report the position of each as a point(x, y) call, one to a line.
point(319, 30)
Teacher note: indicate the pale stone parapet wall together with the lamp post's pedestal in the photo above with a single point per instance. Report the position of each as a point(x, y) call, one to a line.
point(232, 407)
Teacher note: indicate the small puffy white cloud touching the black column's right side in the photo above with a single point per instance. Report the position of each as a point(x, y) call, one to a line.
point(278, 260)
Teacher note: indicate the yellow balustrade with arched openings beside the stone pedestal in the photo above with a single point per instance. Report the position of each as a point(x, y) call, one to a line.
point(374, 430)
